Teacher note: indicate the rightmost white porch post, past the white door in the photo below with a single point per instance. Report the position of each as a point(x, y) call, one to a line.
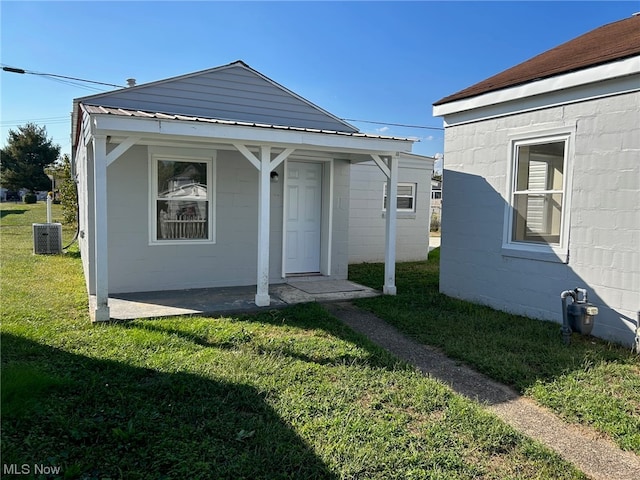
point(389, 287)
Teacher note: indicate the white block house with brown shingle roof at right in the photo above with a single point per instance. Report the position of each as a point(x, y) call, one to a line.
point(542, 181)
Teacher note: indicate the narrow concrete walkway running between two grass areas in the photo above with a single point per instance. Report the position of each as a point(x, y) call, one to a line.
point(596, 456)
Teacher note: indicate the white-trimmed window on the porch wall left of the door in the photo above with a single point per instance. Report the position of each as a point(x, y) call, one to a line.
point(182, 199)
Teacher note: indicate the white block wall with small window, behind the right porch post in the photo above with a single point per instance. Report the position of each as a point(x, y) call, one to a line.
point(367, 221)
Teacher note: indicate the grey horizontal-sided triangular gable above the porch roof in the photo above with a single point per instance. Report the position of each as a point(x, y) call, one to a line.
point(233, 92)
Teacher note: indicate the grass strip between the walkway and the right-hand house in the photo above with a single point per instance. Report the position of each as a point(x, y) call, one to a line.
point(590, 382)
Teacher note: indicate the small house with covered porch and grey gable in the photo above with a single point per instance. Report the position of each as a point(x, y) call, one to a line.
point(219, 178)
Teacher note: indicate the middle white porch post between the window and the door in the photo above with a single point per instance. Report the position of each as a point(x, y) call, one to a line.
point(264, 196)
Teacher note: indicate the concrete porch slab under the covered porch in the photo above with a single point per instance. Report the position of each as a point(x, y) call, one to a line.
point(225, 300)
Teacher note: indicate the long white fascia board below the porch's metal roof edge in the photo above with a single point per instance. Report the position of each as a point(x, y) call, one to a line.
point(116, 125)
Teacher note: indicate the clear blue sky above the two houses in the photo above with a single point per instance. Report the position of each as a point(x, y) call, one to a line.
point(378, 61)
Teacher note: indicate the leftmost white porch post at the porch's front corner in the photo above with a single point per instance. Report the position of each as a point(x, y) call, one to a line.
point(100, 234)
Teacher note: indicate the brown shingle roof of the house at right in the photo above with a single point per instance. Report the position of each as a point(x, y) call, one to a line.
point(609, 43)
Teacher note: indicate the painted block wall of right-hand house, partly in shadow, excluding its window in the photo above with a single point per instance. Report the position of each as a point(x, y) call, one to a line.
point(604, 249)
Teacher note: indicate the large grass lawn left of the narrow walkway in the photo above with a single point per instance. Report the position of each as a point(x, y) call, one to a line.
point(283, 394)
